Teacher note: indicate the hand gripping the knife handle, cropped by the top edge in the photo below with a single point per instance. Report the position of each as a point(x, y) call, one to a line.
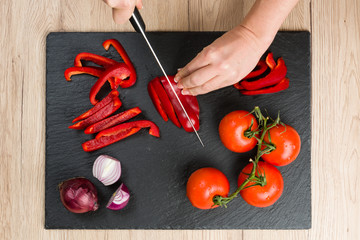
point(122, 9)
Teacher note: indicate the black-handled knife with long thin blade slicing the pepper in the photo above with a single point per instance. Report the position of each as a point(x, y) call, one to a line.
point(138, 23)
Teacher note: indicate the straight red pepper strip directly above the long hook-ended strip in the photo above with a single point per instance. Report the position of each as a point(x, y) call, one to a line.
point(113, 120)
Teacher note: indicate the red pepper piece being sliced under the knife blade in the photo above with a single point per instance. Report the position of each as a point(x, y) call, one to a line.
point(168, 106)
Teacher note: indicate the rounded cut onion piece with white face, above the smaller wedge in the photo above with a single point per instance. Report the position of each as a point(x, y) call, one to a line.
point(107, 169)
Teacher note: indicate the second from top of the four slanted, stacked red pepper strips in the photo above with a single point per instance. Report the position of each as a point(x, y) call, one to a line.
point(104, 112)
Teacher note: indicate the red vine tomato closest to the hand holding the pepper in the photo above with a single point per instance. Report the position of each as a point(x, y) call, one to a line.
point(232, 128)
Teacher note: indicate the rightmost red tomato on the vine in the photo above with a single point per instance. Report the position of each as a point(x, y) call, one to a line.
point(287, 142)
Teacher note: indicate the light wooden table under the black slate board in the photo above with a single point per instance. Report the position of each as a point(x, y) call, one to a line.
point(335, 28)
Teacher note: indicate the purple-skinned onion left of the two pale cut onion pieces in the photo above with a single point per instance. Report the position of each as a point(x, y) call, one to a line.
point(78, 195)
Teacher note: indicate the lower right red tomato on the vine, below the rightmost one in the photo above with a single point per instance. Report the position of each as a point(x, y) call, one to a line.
point(267, 195)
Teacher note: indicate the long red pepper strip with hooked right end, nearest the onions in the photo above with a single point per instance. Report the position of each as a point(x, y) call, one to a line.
point(119, 132)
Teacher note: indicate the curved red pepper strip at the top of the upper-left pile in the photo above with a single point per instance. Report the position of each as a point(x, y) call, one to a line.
point(119, 48)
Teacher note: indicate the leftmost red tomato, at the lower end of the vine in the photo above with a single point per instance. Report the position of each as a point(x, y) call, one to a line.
point(204, 184)
